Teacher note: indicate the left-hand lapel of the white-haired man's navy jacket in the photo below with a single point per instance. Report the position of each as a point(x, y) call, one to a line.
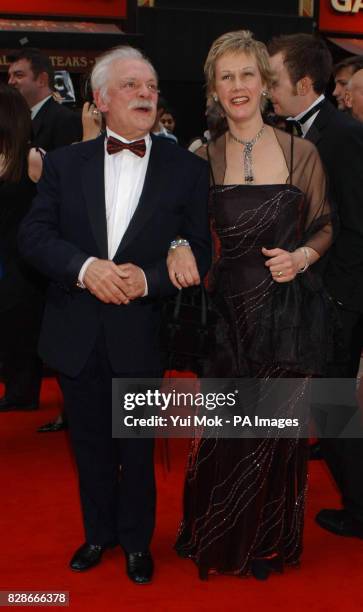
point(93, 185)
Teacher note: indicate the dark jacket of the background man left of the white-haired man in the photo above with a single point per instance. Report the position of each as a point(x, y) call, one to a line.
point(55, 126)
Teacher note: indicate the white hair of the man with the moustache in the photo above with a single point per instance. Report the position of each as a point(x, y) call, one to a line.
point(101, 70)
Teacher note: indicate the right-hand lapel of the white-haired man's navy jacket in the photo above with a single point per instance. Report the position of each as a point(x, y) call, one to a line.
point(150, 194)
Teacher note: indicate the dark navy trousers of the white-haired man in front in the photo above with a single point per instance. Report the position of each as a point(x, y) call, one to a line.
point(116, 476)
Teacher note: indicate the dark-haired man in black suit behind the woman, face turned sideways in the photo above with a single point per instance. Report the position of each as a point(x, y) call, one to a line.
point(302, 64)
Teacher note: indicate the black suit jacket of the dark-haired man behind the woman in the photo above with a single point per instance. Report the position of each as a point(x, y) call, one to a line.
point(339, 140)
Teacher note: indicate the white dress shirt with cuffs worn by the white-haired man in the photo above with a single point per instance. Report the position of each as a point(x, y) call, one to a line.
point(124, 181)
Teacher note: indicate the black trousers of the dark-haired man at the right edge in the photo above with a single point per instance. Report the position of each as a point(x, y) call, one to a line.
point(344, 456)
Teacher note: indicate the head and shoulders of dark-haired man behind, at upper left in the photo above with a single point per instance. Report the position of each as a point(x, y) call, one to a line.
point(53, 125)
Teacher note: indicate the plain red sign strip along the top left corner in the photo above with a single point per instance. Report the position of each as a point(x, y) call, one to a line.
point(83, 8)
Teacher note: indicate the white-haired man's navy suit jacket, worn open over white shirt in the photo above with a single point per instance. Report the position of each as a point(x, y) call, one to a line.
point(67, 224)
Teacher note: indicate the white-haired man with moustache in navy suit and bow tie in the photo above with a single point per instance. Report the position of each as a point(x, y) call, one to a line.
point(100, 229)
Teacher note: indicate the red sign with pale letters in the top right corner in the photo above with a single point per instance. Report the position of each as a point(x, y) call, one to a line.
point(331, 20)
